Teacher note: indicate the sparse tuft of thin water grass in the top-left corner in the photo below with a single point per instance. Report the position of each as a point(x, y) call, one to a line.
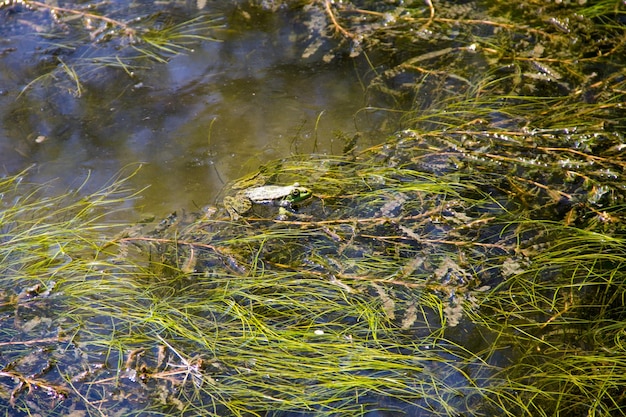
point(80, 42)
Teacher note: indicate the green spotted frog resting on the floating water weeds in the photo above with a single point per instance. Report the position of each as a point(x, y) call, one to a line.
point(285, 197)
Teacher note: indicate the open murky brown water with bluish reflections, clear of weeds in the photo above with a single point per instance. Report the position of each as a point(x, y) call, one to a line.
point(196, 123)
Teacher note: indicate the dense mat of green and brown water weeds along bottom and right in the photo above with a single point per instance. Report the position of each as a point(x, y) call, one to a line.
point(470, 264)
